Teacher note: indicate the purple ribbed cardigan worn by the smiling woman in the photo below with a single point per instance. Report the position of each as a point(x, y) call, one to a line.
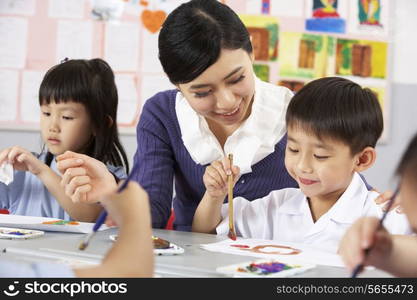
point(163, 160)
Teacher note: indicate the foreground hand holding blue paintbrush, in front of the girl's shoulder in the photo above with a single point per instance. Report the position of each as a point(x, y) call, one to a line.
point(84, 178)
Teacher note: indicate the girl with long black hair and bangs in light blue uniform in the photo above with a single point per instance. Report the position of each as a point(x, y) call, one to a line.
point(78, 100)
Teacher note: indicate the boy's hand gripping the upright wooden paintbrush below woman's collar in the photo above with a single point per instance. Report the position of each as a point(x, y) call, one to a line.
point(215, 178)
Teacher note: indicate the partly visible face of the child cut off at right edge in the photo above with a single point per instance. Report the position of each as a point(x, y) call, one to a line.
point(408, 194)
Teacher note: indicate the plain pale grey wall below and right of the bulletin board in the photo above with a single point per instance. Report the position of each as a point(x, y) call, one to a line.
point(402, 124)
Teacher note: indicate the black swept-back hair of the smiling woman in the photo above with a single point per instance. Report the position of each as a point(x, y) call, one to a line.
point(193, 36)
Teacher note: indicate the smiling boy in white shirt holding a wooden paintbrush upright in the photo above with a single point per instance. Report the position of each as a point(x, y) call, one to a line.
point(332, 125)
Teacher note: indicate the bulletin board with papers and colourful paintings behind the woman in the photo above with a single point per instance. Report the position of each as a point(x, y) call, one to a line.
point(294, 41)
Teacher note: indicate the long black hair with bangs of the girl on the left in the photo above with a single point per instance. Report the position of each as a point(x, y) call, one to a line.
point(91, 83)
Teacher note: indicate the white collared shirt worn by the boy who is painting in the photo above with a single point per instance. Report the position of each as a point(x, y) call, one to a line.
point(284, 215)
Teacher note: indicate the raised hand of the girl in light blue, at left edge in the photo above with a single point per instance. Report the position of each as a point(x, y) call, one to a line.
point(22, 160)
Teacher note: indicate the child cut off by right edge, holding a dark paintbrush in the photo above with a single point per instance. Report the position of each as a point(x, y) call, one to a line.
point(395, 254)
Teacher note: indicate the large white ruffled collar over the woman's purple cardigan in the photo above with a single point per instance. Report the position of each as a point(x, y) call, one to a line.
point(251, 142)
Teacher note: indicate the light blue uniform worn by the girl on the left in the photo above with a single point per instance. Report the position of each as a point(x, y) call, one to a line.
point(27, 195)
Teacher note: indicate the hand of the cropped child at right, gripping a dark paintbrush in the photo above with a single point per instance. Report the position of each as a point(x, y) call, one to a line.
point(365, 234)
